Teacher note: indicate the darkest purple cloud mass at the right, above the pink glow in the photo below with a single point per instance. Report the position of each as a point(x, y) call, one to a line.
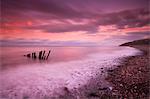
point(126, 19)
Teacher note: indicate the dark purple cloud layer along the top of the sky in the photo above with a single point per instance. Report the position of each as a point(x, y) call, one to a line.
point(69, 8)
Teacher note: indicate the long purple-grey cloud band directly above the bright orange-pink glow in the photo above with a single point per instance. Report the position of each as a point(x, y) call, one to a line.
point(124, 19)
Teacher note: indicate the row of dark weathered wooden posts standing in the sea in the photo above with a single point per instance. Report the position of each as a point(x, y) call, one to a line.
point(40, 56)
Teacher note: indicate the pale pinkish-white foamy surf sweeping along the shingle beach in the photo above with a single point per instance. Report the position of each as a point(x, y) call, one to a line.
point(49, 80)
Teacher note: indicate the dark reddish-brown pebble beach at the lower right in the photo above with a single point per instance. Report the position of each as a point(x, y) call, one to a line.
point(131, 77)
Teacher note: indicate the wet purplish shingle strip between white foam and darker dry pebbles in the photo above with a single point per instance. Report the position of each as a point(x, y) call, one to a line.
point(101, 87)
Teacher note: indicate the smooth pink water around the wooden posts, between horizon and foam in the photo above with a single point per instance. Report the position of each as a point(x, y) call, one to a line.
point(13, 56)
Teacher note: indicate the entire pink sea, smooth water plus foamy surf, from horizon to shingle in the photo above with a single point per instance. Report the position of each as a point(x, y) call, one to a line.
point(69, 67)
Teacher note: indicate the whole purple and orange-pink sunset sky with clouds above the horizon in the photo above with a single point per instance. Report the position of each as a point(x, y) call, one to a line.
point(73, 22)
